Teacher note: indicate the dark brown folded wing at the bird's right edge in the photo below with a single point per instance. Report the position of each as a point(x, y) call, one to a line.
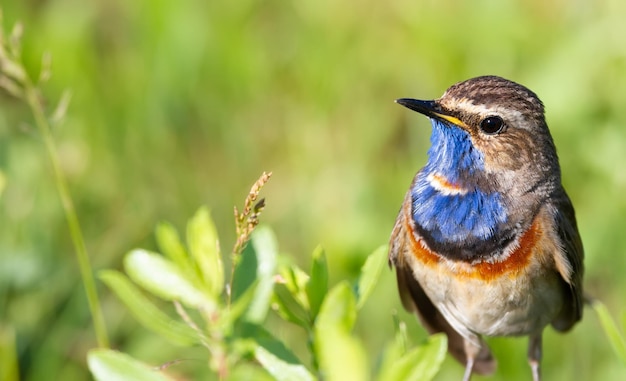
point(572, 248)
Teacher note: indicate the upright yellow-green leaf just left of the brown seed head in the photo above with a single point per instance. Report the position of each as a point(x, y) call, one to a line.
point(204, 247)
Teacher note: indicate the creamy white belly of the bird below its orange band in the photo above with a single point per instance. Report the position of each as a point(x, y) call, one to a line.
point(505, 306)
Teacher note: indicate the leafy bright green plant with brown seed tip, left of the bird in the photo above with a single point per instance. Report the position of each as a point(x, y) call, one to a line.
point(226, 316)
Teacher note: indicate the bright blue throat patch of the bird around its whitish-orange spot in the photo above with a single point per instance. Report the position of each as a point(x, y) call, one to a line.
point(454, 217)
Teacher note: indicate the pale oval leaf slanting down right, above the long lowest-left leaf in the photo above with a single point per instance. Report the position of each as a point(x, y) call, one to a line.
point(162, 278)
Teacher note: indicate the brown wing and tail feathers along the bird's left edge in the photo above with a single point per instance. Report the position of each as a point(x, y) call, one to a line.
point(414, 299)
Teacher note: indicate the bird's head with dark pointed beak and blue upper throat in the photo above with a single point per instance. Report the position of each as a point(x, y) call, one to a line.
point(489, 132)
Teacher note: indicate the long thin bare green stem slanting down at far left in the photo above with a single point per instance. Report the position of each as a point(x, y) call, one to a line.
point(32, 98)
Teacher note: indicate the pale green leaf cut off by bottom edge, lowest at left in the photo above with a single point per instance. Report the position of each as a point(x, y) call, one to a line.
point(109, 365)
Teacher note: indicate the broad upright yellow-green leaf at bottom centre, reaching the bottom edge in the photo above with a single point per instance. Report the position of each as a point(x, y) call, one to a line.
point(341, 357)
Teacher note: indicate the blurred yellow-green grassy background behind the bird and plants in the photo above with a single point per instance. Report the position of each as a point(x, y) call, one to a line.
point(177, 104)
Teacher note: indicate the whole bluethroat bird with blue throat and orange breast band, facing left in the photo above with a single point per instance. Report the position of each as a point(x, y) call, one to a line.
point(486, 241)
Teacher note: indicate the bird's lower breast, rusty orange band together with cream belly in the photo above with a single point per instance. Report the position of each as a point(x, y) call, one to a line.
point(513, 293)
